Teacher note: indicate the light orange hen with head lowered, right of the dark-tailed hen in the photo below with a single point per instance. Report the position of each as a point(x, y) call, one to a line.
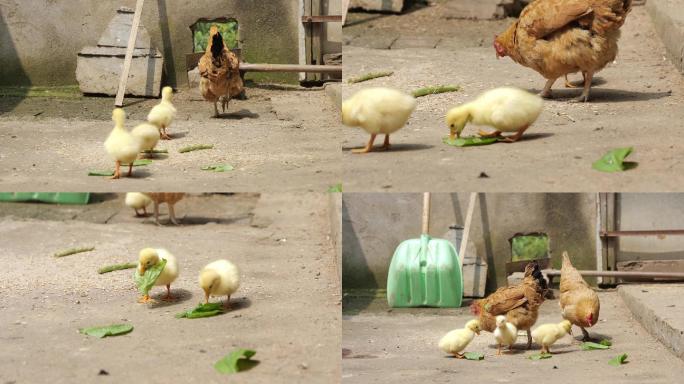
point(579, 303)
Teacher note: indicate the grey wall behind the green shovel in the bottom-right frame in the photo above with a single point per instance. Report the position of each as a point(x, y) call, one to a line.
point(374, 224)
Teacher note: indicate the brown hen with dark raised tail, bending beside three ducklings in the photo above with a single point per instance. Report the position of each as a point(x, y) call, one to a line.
point(520, 303)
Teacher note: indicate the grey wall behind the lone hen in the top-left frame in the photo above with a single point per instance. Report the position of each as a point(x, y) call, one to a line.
point(39, 39)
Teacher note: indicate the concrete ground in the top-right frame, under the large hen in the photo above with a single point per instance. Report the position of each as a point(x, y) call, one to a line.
point(636, 101)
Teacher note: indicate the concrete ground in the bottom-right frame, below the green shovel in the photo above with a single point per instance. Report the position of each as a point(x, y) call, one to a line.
point(400, 346)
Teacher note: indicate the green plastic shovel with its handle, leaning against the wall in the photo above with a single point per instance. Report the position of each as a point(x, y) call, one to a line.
point(425, 272)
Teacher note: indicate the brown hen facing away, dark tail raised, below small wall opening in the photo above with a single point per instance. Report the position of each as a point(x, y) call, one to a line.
point(220, 72)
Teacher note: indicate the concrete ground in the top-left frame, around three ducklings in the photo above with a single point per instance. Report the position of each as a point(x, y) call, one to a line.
point(279, 132)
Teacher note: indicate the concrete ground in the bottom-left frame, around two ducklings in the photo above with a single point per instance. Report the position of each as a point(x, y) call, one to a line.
point(287, 308)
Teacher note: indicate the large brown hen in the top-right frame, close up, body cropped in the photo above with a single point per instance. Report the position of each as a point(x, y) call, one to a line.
point(558, 37)
